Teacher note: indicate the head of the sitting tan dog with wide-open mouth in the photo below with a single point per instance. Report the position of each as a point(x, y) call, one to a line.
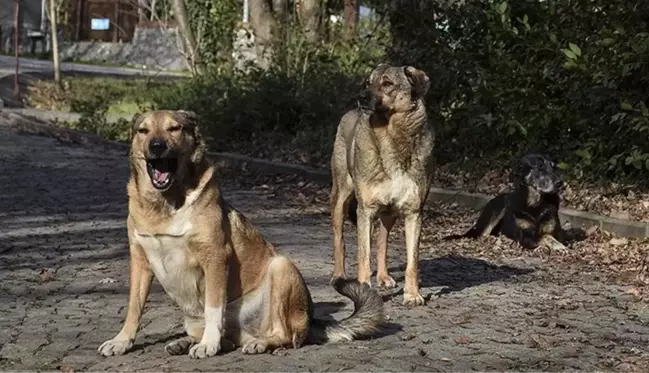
point(167, 145)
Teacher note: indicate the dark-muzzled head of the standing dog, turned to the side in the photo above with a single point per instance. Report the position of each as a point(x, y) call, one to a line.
point(394, 89)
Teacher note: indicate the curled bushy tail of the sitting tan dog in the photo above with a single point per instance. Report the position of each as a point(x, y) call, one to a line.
point(365, 321)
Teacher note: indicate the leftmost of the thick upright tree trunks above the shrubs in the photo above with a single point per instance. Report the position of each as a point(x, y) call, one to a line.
point(263, 23)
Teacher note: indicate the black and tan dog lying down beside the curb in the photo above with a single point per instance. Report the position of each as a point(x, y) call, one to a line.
point(529, 214)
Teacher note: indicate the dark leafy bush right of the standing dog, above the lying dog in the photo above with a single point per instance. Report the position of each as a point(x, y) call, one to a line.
point(567, 77)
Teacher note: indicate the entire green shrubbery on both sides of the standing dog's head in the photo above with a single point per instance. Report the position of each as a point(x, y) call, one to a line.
point(564, 77)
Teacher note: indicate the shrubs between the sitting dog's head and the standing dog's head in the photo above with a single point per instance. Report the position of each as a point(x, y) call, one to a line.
point(294, 105)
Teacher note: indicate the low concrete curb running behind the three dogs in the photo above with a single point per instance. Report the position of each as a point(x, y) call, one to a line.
point(21, 119)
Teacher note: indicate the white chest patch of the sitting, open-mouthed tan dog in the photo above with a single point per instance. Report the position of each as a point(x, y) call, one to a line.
point(173, 264)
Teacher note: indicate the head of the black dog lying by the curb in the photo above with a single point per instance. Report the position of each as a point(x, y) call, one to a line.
point(538, 172)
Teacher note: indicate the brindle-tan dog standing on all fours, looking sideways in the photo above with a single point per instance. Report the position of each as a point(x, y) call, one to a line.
point(382, 162)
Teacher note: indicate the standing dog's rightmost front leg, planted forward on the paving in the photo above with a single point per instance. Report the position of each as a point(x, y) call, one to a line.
point(411, 295)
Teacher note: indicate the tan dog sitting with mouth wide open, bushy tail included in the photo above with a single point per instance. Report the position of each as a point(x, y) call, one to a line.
point(232, 286)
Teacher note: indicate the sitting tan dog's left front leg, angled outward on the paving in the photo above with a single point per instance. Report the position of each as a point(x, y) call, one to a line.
point(140, 278)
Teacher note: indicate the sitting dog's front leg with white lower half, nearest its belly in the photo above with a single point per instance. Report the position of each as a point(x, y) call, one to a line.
point(215, 267)
